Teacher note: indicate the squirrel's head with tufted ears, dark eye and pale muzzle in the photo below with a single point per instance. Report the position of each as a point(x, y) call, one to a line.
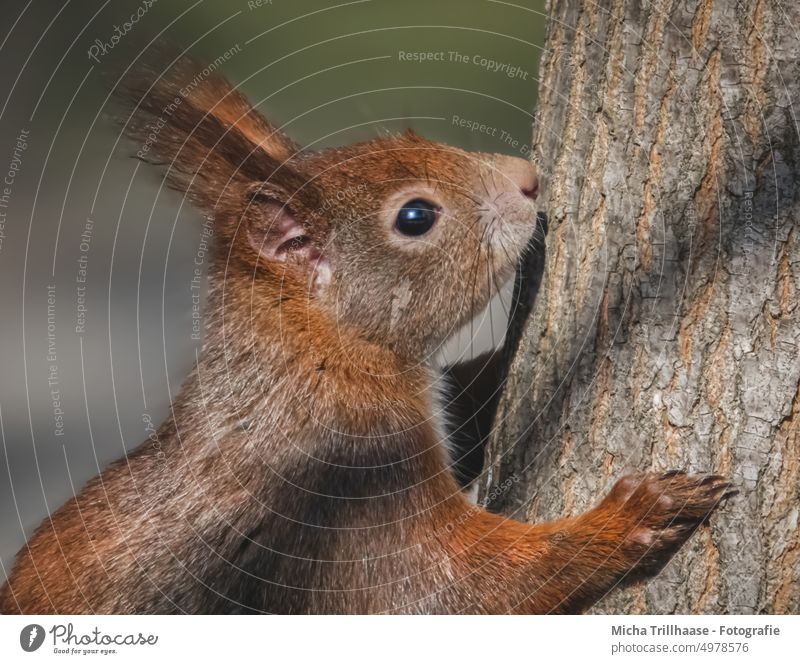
point(400, 239)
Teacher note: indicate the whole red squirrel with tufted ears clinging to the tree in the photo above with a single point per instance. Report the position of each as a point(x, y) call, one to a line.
point(303, 467)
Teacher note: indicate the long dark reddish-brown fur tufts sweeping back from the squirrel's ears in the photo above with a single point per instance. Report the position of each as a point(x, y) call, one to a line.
point(188, 120)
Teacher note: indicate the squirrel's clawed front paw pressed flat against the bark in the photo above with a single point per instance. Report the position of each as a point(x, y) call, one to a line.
point(660, 511)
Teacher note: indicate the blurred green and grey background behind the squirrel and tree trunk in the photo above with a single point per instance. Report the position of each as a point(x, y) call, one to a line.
point(96, 258)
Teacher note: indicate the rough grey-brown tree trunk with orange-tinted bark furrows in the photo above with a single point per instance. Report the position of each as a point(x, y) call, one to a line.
point(666, 331)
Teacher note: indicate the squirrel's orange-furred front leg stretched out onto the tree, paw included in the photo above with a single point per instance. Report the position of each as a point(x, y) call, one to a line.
point(567, 565)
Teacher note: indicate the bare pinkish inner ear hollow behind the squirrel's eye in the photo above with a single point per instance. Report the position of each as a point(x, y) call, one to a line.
point(276, 234)
